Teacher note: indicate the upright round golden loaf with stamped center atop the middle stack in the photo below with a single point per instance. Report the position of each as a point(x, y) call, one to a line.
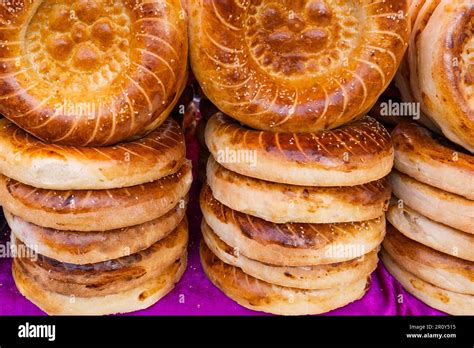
point(296, 66)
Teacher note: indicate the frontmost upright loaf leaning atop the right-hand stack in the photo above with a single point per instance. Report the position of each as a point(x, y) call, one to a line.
point(441, 75)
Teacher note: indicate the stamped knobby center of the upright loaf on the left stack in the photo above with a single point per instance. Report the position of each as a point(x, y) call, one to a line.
point(79, 46)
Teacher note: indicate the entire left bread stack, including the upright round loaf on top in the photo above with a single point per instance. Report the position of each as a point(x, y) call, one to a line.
point(95, 179)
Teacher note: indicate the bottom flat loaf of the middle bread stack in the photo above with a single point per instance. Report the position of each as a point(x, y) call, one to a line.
point(262, 296)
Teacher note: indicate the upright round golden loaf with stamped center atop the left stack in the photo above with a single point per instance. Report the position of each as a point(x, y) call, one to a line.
point(90, 72)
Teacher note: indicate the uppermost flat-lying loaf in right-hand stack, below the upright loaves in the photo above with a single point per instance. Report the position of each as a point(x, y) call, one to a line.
point(433, 160)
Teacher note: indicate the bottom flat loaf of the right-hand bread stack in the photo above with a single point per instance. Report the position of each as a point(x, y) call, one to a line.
point(447, 301)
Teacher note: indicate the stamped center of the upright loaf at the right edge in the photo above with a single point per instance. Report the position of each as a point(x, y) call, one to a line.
point(467, 66)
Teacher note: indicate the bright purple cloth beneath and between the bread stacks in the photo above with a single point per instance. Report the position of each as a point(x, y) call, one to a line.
point(196, 295)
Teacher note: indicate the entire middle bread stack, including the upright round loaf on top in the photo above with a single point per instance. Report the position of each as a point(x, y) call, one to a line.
point(297, 183)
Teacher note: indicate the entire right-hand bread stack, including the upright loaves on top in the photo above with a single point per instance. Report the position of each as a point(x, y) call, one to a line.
point(430, 248)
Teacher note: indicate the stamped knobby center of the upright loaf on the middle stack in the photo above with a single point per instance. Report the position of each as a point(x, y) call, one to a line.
point(300, 37)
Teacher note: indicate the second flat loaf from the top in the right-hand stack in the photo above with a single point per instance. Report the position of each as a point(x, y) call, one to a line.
point(438, 205)
